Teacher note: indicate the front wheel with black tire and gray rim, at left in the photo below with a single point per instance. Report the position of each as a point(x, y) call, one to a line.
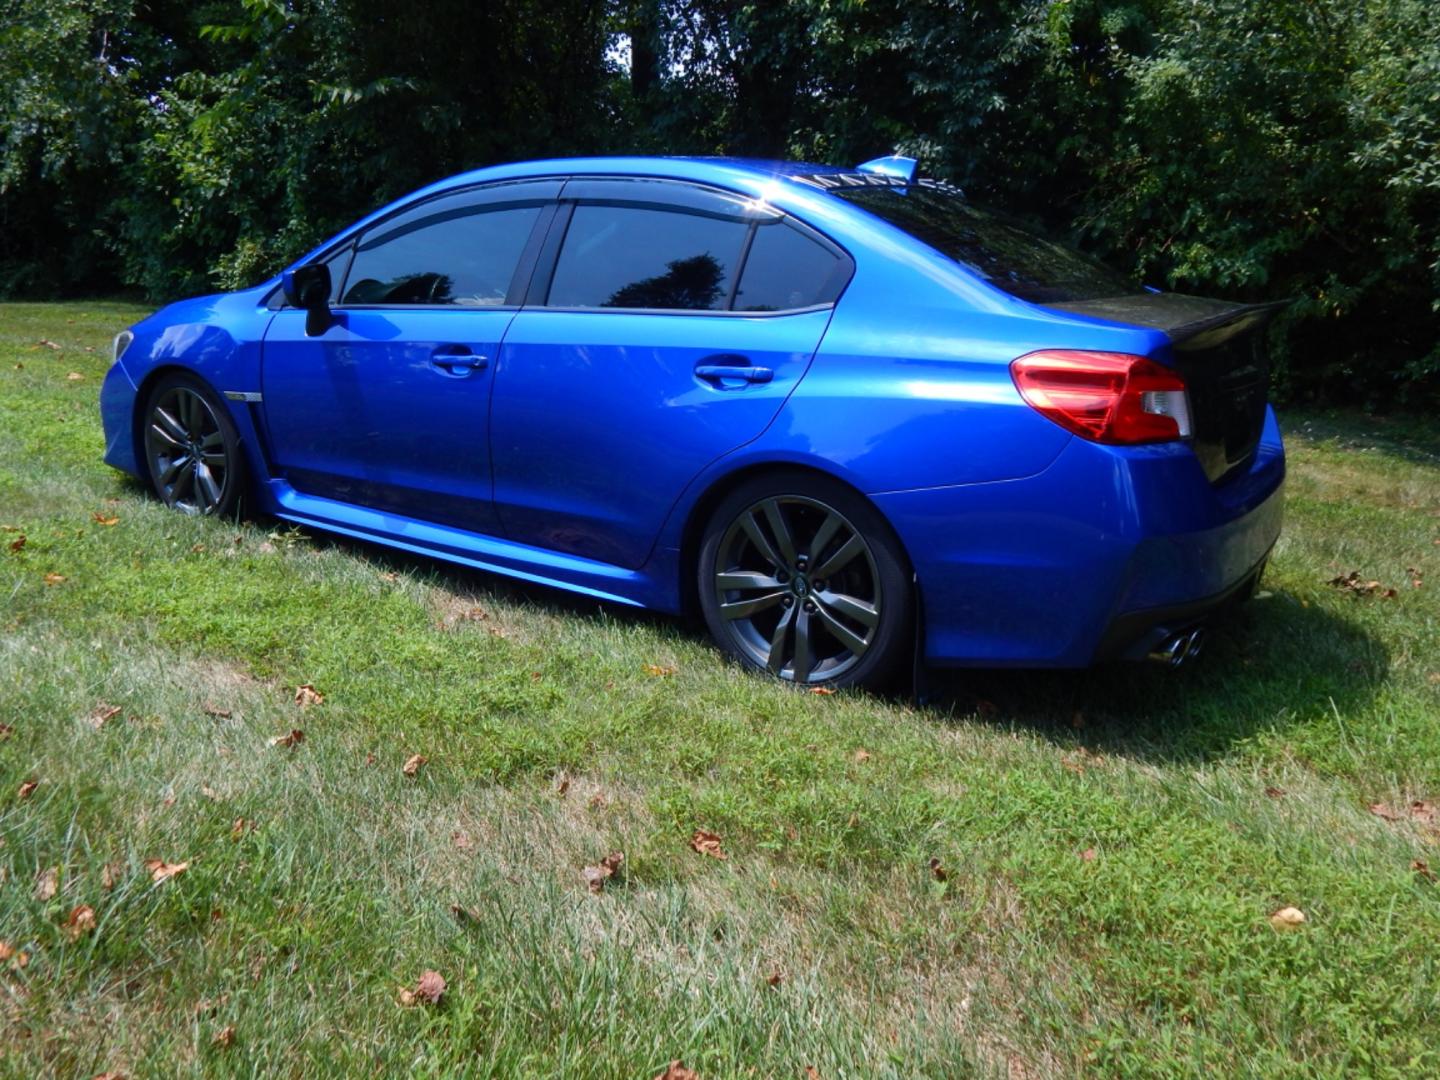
point(192, 450)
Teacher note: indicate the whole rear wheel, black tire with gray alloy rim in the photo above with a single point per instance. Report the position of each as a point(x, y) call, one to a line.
point(804, 580)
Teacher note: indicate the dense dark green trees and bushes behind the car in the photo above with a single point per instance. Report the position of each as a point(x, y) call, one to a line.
point(1252, 149)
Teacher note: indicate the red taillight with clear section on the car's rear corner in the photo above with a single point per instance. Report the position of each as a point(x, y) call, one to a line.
point(1105, 397)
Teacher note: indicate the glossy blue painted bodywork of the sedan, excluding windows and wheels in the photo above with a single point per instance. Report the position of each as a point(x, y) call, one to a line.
point(582, 450)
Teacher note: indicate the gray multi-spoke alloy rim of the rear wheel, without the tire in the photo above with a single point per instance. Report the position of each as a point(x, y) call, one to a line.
point(798, 590)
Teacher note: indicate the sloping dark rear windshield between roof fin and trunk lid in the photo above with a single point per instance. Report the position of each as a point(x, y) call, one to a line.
point(1000, 250)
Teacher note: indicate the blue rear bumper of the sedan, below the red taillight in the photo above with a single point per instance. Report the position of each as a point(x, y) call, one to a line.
point(1059, 570)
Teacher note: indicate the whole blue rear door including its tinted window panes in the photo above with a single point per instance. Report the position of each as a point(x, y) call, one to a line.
point(667, 326)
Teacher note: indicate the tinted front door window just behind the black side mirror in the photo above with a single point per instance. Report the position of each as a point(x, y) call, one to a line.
point(446, 253)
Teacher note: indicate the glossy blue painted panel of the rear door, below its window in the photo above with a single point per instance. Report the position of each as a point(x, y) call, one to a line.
point(601, 420)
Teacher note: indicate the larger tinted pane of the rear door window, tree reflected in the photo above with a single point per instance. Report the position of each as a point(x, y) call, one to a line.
point(633, 257)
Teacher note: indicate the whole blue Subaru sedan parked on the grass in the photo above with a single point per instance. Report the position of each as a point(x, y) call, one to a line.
point(845, 414)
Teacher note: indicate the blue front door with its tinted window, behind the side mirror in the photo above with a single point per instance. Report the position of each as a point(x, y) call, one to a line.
point(390, 408)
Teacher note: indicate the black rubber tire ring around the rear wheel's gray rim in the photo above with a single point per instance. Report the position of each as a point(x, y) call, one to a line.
point(896, 630)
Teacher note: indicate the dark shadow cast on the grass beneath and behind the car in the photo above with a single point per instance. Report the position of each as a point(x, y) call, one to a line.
point(1271, 665)
